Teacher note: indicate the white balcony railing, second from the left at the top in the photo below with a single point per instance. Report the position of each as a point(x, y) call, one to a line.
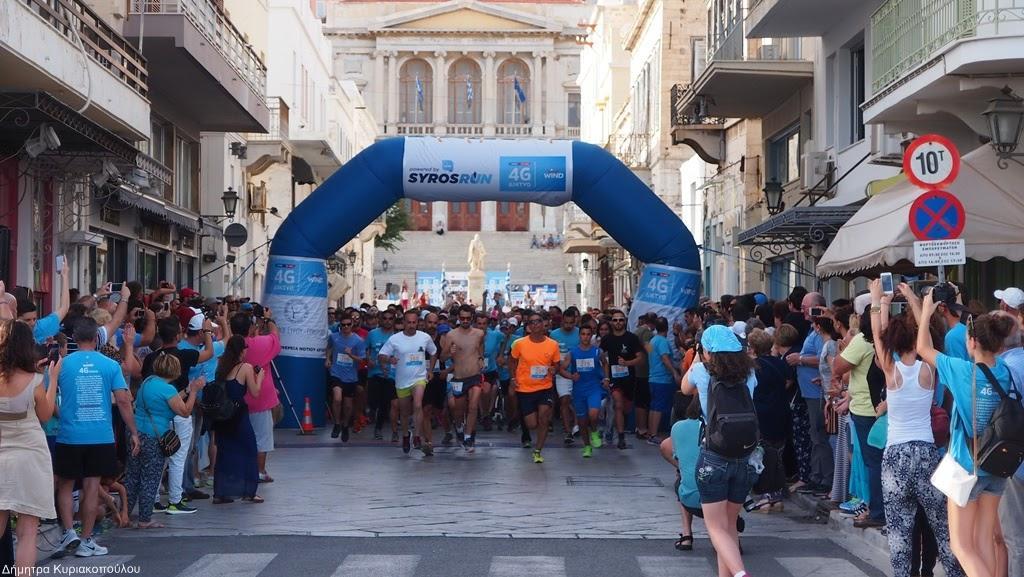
point(216, 26)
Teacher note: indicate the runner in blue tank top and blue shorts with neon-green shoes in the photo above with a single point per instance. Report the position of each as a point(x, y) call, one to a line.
point(587, 367)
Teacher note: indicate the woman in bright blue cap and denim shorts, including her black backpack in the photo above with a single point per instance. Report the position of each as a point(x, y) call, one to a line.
point(724, 383)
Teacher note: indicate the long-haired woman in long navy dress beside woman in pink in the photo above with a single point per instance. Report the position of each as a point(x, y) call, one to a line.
point(236, 473)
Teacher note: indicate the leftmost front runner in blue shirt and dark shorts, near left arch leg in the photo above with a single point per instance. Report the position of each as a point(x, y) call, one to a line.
point(346, 351)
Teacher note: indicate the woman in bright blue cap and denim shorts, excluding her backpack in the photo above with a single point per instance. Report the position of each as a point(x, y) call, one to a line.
point(723, 482)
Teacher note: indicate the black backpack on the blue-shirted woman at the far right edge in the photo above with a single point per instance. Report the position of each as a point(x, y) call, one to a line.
point(1001, 449)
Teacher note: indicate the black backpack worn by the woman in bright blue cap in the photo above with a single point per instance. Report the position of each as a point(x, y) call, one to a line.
point(732, 427)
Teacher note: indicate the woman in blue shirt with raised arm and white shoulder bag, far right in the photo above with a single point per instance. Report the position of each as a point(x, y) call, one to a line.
point(973, 527)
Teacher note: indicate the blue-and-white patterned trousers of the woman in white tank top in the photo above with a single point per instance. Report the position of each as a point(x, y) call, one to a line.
point(907, 472)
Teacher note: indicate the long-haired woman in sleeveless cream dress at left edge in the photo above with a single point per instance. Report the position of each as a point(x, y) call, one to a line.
point(28, 490)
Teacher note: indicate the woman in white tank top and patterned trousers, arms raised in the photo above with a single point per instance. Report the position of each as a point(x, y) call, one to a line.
point(911, 455)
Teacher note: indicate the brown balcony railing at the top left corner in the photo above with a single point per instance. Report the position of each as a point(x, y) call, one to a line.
point(103, 45)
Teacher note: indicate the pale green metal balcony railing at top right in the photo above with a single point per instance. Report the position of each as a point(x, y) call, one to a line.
point(909, 33)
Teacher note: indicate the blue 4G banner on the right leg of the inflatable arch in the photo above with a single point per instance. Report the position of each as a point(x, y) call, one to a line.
point(667, 292)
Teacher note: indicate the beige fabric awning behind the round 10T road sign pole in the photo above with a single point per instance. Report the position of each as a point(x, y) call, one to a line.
point(879, 235)
